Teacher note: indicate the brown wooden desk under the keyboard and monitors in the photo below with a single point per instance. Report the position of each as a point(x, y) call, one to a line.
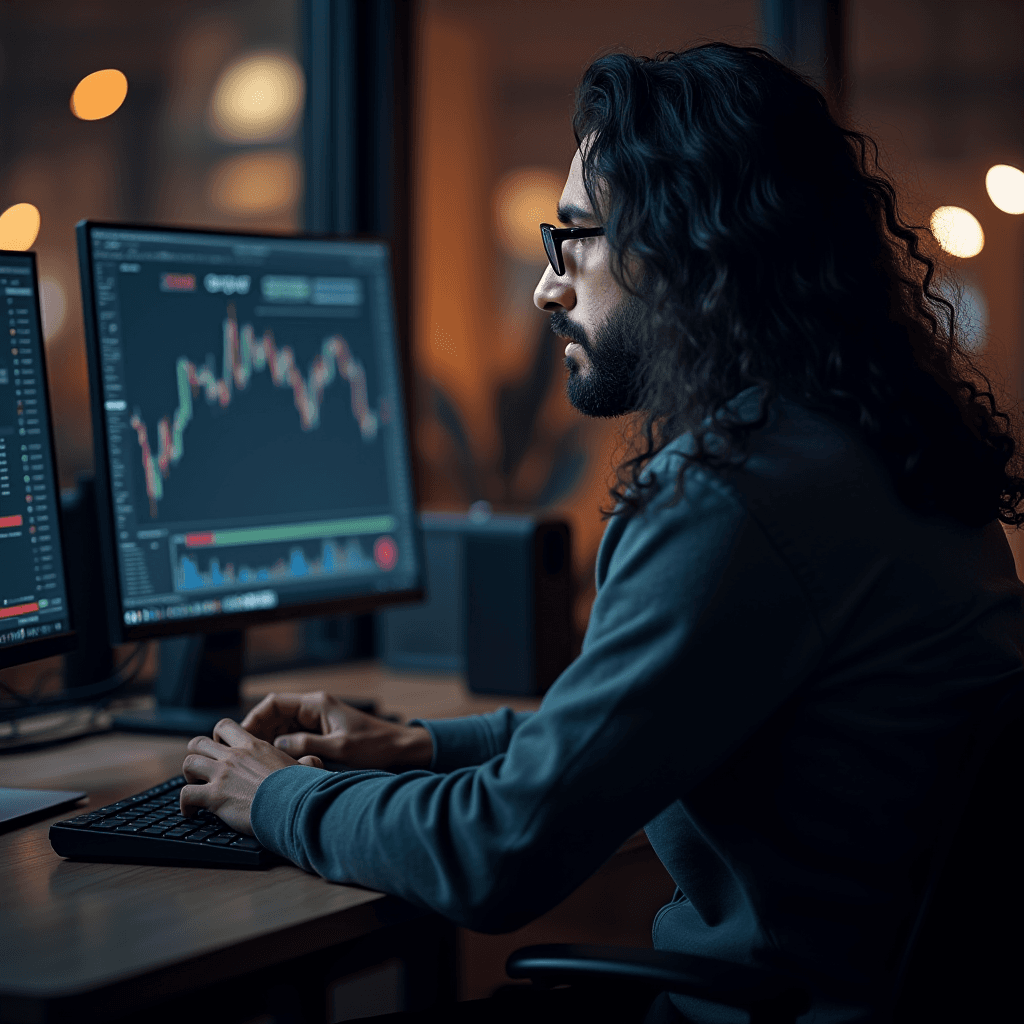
point(81, 942)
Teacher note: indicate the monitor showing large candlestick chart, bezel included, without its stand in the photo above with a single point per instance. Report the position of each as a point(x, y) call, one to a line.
point(252, 449)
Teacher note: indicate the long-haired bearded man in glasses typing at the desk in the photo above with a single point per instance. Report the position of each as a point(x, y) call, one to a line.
point(804, 596)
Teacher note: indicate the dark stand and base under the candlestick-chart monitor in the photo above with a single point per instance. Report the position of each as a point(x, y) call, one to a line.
point(197, 686)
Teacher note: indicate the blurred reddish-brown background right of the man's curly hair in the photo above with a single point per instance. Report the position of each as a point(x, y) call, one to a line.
point(942, 87)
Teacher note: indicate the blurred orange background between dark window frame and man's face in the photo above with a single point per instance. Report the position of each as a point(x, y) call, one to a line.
point(494, 145)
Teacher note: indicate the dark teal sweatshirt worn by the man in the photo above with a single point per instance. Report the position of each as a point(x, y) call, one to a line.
point(781, 675)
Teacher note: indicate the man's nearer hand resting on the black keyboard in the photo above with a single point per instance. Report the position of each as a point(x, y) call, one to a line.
point(226, 773)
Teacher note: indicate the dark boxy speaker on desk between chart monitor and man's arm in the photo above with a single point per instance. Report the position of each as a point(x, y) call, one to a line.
point(499, 606)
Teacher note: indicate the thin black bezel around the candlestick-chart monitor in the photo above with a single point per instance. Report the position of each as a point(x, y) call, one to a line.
point(120, 632)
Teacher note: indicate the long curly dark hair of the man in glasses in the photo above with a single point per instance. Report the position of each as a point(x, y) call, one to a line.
point(766, 243)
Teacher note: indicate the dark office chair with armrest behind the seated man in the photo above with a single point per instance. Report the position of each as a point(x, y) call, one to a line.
point(961, 955)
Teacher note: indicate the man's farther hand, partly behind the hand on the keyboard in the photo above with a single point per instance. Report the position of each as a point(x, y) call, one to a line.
point(321, 724)
